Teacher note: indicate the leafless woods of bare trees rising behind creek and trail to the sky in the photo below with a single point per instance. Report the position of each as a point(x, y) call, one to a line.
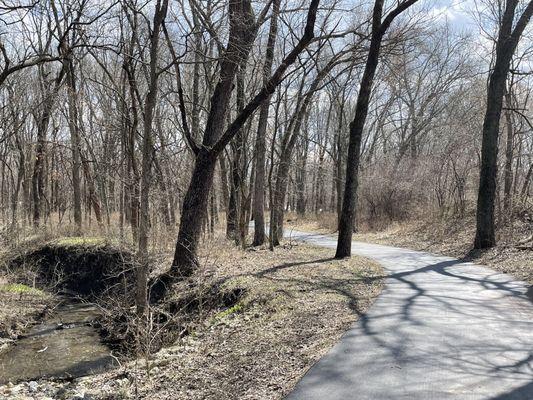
point(154, 120)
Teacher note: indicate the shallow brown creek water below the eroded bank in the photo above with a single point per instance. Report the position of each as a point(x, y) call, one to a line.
point(63, 345)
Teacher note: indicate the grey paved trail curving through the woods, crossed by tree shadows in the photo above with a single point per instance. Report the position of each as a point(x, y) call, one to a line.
point(441, 329)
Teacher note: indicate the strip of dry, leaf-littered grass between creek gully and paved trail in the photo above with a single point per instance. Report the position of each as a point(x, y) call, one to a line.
point(297, 304)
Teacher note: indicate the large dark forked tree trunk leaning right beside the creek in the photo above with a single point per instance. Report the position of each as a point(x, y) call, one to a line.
point(243, 30)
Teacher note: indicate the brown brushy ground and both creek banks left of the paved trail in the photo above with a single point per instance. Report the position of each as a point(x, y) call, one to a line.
point(247, 324)
